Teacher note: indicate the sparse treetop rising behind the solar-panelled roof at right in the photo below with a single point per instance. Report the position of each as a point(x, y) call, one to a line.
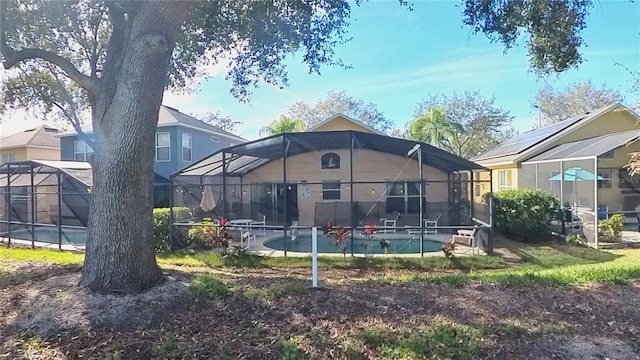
point(575, 99)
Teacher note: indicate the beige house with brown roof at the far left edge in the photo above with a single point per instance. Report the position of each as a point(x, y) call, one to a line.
point(39, 143)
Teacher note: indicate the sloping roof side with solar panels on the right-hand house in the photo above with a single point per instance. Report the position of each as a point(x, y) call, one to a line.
point(524, 141)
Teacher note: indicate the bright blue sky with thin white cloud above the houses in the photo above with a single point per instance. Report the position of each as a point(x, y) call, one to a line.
point(398, 57)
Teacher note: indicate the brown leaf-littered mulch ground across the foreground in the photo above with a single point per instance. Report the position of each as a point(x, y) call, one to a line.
point(558, 323)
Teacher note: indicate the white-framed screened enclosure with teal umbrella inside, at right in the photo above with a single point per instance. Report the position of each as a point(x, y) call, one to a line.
point(591, 179)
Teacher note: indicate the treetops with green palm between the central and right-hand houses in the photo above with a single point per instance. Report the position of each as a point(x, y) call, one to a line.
point(466, 124)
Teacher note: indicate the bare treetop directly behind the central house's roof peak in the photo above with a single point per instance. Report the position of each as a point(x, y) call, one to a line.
point(339, 102)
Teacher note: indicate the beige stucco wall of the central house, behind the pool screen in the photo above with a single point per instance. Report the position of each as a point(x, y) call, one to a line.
point(368, 166)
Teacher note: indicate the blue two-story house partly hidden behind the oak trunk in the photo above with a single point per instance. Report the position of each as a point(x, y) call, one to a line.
point(180, 140)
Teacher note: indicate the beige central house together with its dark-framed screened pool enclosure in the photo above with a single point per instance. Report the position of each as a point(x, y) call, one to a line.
point(339, 170)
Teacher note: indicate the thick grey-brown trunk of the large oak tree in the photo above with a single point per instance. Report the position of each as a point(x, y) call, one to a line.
point(120, 253)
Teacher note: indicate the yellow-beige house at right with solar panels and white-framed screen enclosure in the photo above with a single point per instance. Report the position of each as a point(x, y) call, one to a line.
point(583, 161)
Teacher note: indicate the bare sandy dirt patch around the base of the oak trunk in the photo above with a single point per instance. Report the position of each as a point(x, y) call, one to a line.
point(54, 305)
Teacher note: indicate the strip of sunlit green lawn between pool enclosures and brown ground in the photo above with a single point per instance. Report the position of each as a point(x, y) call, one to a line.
point(550, 264)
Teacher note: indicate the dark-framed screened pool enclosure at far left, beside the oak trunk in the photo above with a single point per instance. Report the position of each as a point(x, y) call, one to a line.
point(45, 203)
